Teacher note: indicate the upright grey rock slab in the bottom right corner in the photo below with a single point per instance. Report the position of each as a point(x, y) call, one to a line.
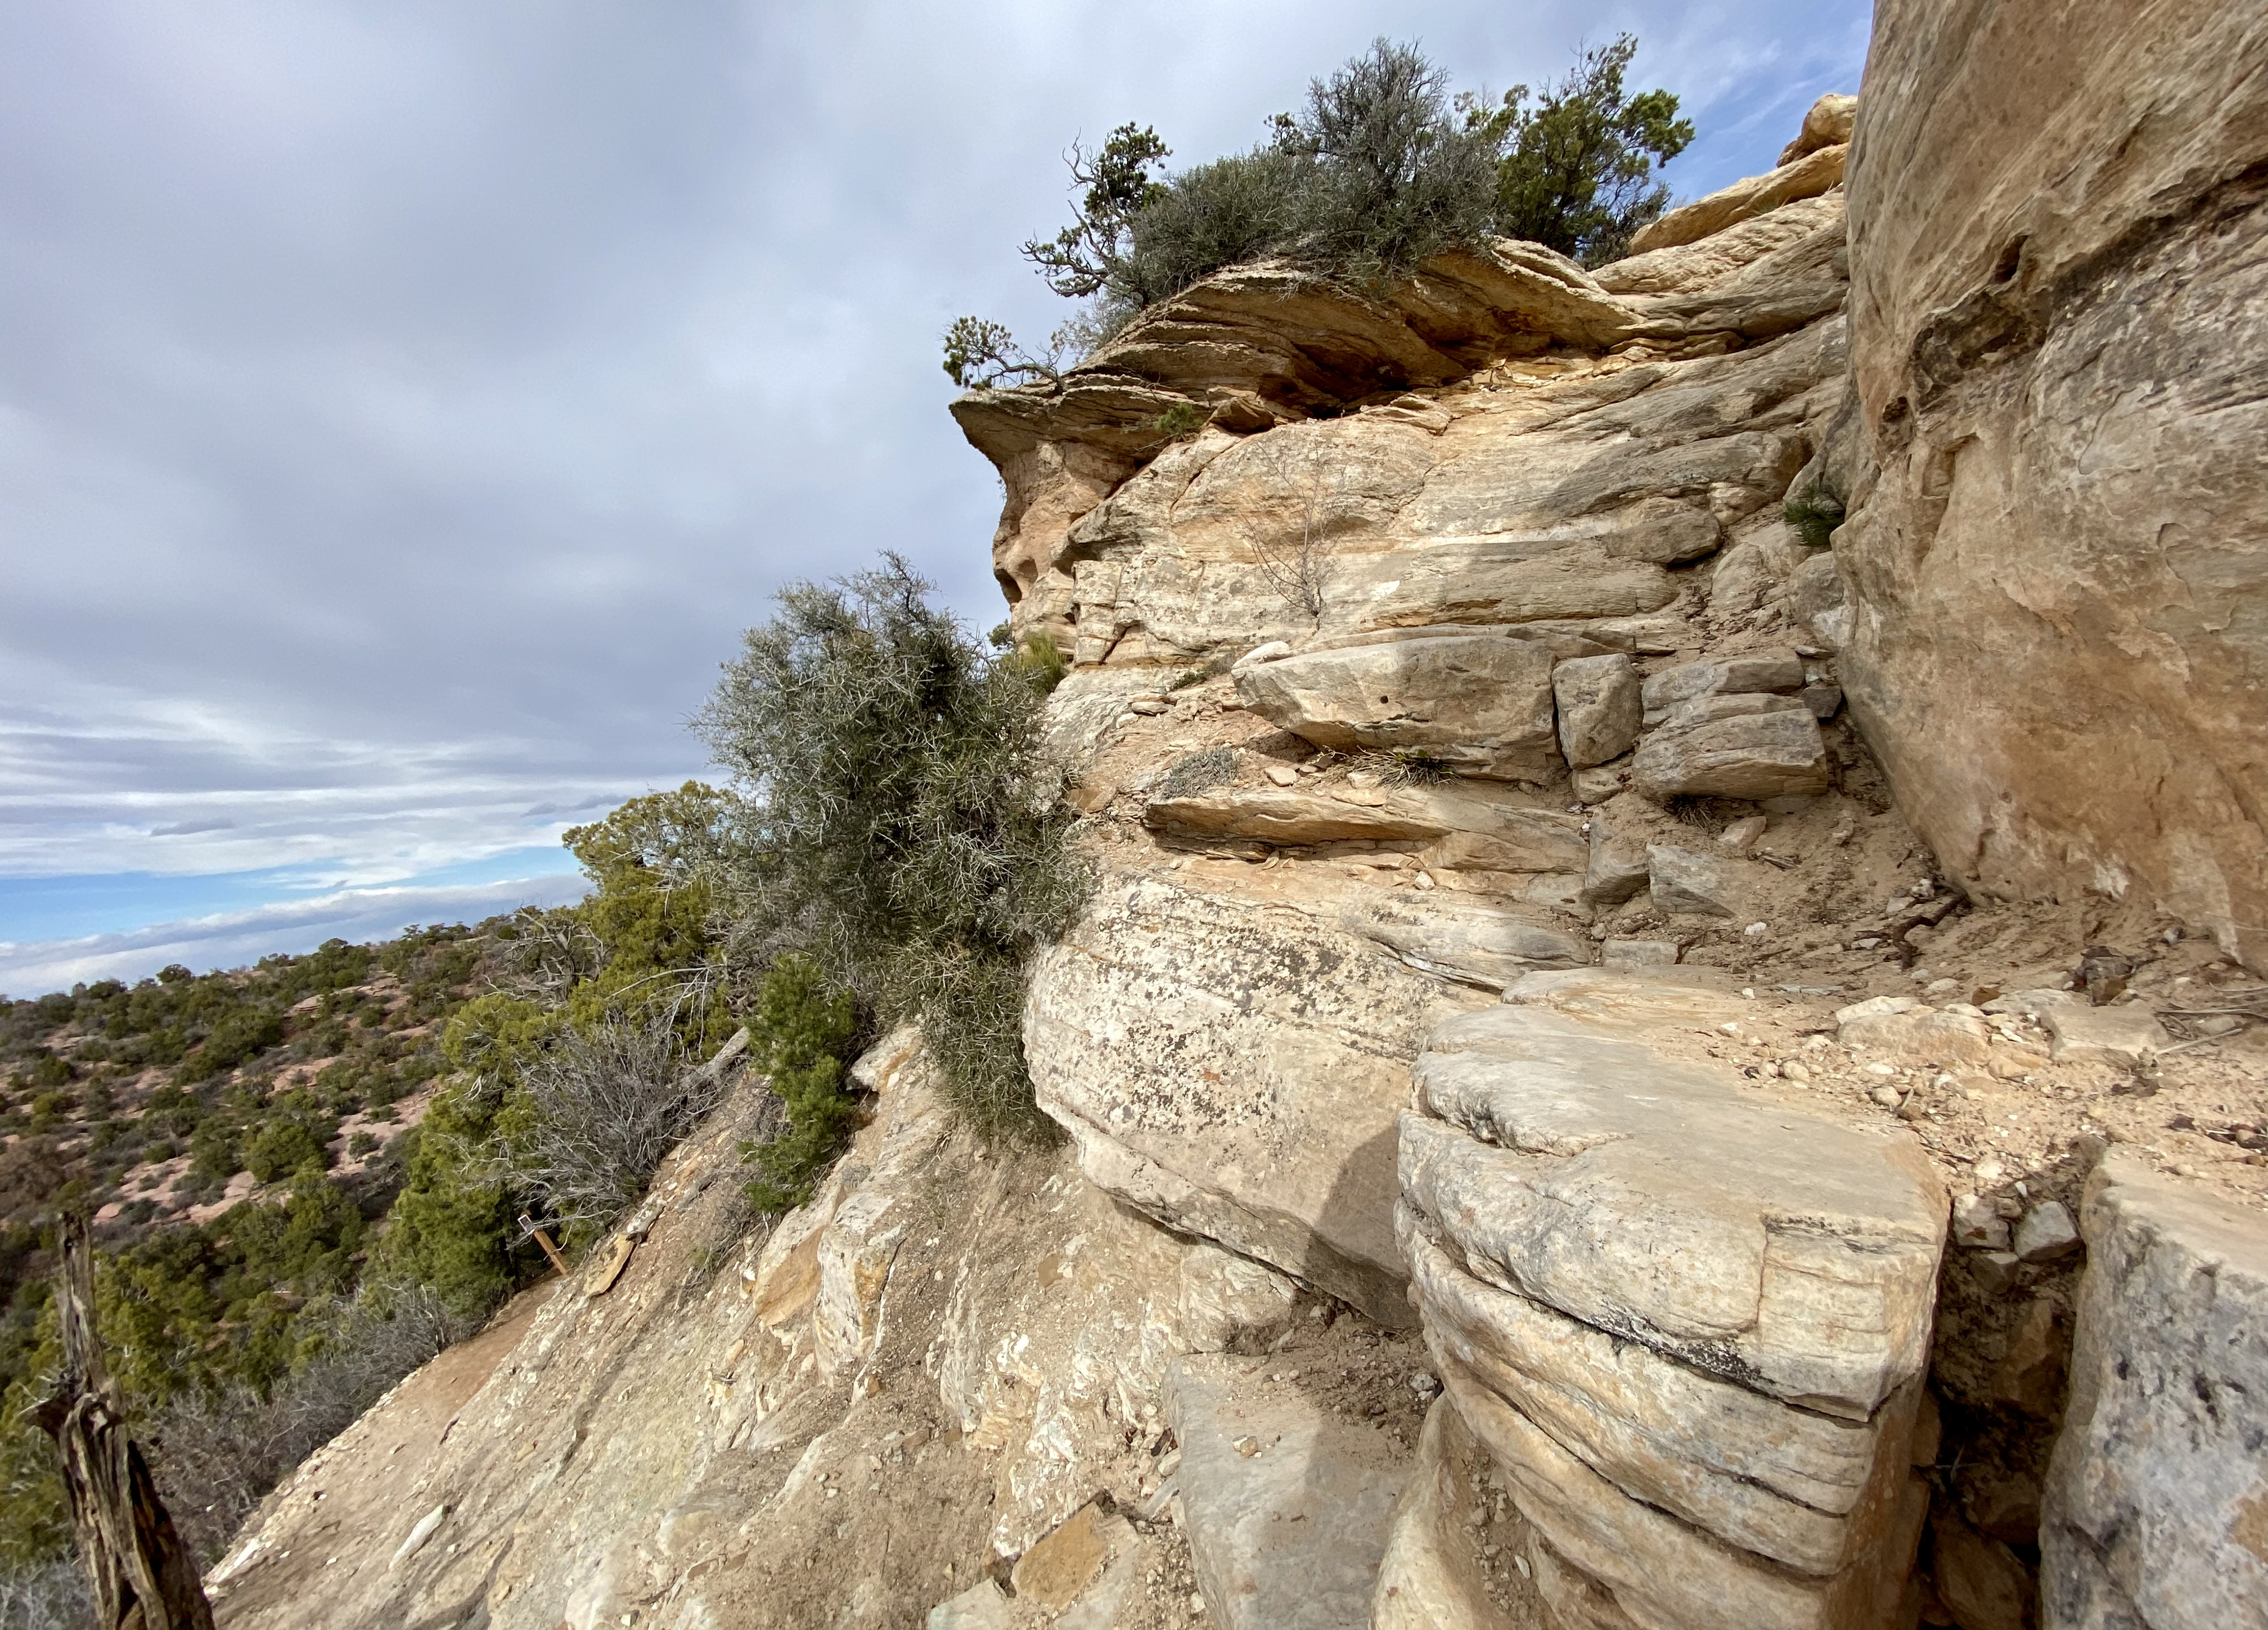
point(2158, 1497)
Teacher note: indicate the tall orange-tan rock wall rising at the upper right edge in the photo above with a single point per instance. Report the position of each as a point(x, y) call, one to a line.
point(2058, 557)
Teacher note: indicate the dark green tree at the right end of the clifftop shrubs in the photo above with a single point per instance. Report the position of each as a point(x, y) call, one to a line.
point(1580, 164)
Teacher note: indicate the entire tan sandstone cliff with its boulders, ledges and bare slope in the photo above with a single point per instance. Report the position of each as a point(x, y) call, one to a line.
point(1627, 1064)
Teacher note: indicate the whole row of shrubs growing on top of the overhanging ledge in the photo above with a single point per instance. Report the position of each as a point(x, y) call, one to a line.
point(1380, 171)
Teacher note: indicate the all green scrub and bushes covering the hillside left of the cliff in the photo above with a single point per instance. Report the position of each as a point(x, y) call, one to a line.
point(316, 1173)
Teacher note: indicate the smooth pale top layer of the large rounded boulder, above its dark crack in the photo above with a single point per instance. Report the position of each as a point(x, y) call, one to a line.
point(1668, 1200)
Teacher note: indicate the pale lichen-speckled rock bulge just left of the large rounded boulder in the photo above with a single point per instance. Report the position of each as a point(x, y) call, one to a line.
point(1233, 1069)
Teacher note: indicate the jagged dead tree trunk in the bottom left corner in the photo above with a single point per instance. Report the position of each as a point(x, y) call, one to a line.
point(137, 1563)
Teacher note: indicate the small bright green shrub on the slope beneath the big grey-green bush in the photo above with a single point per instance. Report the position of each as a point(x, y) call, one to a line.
point(799, 1039)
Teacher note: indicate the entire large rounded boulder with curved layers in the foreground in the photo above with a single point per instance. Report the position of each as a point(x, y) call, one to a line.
point(1689, 1325)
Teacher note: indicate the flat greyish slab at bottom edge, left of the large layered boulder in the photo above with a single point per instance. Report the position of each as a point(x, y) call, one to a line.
point(1287, 1506)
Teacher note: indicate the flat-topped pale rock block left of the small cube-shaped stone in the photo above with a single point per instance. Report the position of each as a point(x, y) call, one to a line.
point(1478, 704)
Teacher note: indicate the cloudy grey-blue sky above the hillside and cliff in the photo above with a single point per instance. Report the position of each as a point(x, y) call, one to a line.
point(405, 405)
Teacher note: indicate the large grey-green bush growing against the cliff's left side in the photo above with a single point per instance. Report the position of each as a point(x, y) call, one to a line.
point(899, 822)
